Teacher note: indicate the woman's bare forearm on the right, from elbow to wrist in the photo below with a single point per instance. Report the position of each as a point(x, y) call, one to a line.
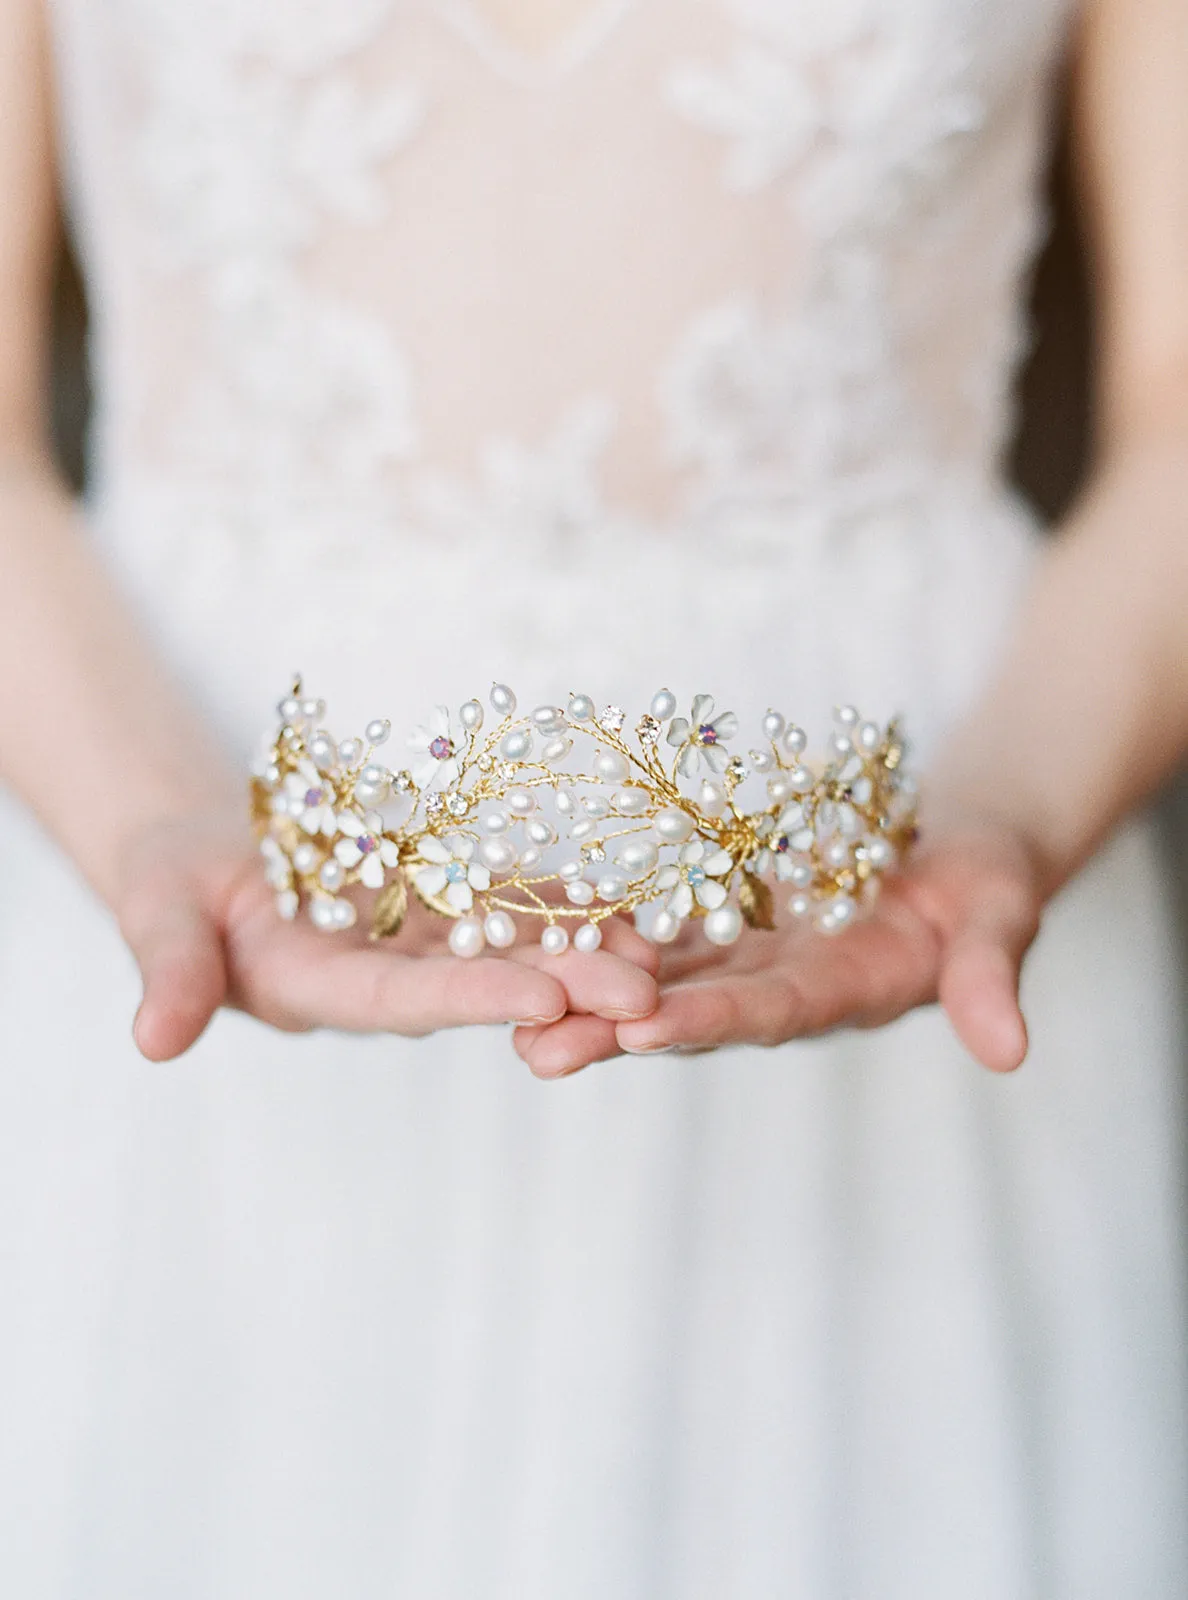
point(1090, 711)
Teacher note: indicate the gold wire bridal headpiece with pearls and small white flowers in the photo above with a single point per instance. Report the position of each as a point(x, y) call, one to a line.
point(560, 817)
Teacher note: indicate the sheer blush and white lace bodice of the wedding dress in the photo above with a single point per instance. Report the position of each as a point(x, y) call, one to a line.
point(393, 270)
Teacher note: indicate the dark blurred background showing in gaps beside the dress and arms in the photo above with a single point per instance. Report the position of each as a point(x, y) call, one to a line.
point(1050, 457)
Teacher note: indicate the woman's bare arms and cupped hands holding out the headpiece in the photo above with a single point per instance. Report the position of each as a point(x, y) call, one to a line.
point(1099, 649)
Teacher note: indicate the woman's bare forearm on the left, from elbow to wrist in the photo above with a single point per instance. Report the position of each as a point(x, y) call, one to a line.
point(94, 735)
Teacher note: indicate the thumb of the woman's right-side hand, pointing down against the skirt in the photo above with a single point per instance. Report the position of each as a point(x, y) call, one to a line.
point(979, 978)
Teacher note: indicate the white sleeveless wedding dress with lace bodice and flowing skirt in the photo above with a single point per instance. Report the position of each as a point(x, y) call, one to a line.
point(672, 348)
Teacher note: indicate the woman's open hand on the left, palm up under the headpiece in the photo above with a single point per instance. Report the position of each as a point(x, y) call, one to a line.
point(204, 927)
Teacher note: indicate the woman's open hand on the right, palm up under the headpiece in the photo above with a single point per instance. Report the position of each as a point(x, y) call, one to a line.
point(953, 926)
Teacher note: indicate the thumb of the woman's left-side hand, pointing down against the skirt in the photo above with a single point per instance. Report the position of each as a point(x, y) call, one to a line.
point(180, 954)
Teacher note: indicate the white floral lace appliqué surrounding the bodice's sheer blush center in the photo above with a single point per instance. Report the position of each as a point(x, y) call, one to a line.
point(872, 127)
